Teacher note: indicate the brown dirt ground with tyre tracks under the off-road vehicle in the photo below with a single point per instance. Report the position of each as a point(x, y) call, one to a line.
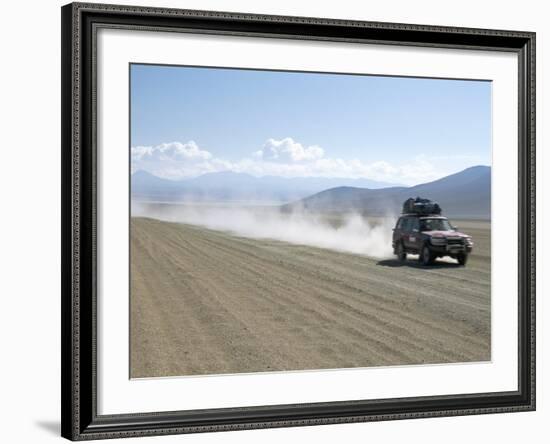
point(208, 302)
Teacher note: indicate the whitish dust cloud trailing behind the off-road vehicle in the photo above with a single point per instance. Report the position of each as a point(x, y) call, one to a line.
point(350, 233)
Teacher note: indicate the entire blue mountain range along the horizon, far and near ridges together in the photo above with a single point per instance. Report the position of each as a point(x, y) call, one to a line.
point(465, 194)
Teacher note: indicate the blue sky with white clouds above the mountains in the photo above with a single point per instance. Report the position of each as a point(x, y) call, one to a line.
point(188, 121)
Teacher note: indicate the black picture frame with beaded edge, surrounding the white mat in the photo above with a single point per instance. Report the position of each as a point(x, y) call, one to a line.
point(79, 171)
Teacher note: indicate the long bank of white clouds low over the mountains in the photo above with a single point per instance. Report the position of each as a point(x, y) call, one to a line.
point(285, 157)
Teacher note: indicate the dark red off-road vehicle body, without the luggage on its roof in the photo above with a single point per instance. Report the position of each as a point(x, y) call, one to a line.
point(430, 236)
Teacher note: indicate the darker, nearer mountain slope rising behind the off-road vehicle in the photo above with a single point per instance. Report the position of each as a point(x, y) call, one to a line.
point(465, 194)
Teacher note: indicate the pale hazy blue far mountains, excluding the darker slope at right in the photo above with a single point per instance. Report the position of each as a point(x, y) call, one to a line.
point(230, 186)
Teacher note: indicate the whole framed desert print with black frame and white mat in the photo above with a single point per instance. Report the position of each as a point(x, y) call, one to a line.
point(279, 221)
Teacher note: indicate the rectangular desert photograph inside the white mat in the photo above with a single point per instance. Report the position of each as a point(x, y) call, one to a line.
point(299, 221)
